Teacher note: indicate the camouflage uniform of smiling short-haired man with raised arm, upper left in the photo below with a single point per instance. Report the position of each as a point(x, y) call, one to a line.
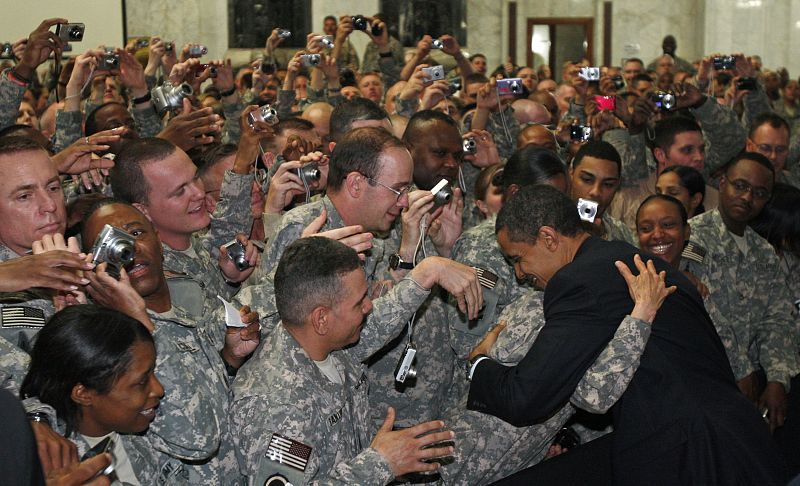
point(201, 269)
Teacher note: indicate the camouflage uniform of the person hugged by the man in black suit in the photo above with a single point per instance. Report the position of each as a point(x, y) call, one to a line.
point(488, 448)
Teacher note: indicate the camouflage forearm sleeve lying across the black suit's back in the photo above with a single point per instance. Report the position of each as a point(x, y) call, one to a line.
point(608, 377)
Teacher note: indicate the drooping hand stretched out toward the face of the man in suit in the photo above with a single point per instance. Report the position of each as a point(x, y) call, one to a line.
point(459, 280)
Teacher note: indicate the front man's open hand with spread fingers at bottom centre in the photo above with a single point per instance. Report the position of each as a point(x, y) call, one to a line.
point(411, 450)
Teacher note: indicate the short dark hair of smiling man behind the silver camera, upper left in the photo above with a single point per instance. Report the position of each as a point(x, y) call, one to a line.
point(127, 178)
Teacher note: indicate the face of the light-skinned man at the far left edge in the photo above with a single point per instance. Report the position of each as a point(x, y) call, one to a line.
point(31, 199)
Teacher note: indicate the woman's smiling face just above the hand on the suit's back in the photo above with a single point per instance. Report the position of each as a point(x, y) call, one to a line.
point(661, 230)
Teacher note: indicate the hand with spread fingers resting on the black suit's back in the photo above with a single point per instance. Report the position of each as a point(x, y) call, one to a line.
point(648, 289)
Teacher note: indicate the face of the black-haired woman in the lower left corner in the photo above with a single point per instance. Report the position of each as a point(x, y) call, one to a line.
point(130, 406)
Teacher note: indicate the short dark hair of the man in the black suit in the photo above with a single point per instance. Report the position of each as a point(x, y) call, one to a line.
point(533, 207)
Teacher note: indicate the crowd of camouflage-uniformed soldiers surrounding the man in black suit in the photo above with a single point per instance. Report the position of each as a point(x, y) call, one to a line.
point(284, 273)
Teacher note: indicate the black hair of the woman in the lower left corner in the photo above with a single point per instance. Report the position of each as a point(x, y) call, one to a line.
point(85, 344)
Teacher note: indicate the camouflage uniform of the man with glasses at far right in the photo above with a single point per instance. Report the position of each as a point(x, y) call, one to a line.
point(759, 313)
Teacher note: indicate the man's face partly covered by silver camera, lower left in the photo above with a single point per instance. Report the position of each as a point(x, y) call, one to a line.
point(146, 272)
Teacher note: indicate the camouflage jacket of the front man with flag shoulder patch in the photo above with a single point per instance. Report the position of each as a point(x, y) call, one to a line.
point(281, 390)
